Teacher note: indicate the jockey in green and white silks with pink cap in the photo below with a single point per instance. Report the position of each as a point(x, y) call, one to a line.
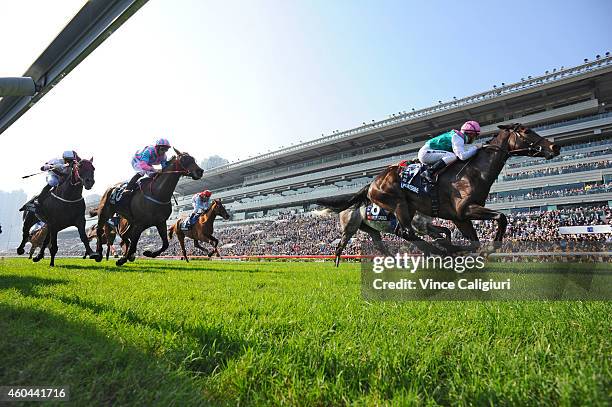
point(446, 148)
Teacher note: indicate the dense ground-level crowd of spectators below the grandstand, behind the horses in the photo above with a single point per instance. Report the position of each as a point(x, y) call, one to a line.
point(305, 234)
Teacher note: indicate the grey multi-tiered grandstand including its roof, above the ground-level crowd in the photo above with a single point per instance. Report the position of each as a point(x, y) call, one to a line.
point(570, 106)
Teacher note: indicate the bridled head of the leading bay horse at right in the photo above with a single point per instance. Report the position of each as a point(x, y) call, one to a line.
point(522, 141)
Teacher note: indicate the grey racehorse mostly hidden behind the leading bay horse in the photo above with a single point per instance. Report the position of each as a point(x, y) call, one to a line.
point(354, 218)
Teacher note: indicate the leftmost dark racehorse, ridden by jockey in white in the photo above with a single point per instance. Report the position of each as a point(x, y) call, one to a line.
point(64, 207)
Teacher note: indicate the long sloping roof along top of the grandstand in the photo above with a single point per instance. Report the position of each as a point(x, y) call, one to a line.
point(501, 104)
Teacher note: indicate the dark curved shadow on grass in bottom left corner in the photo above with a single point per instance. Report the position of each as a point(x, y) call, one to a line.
point(43, 348)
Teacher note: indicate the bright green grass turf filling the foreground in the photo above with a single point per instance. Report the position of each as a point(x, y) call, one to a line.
point(170, 333)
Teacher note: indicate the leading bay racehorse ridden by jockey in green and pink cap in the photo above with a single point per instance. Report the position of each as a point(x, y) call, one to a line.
point(463, 187)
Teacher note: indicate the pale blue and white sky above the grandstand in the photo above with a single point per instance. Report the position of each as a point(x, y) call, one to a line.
point(240, 78)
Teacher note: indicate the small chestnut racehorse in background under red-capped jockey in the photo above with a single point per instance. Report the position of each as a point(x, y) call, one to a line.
point(202, 230)
